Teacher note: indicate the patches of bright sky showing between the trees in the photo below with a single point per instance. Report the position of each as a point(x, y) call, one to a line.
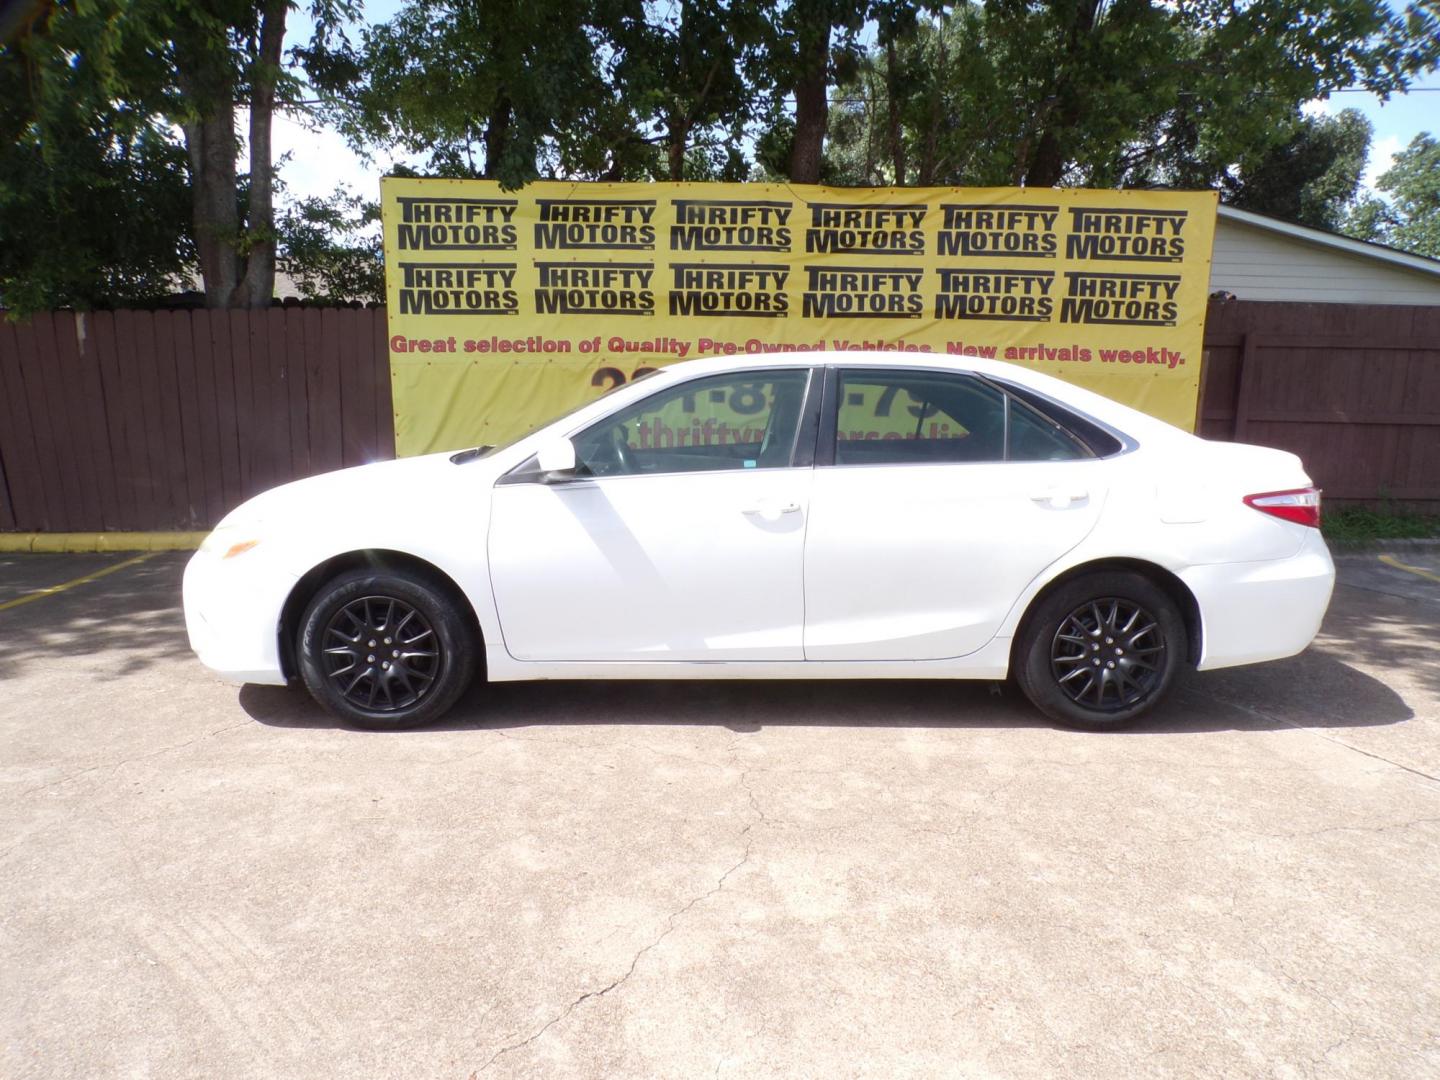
point(320, 159)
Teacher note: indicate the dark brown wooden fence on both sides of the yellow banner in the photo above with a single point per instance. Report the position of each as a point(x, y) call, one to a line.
point(165, 421)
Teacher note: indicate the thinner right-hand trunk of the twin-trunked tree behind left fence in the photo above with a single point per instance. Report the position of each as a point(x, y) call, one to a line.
point(258, 287)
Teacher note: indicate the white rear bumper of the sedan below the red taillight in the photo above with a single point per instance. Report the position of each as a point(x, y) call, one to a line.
point(1252, 613)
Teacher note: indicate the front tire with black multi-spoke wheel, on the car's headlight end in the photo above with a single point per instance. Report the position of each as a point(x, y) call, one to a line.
point(400, 650)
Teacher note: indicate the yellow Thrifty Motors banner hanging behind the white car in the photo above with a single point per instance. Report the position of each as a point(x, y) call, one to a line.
point(510, 307)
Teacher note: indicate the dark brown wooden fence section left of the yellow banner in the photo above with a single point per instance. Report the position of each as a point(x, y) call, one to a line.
point(168, 420)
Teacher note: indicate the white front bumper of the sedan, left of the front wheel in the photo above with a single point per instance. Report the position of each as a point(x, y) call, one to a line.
point(233, 617)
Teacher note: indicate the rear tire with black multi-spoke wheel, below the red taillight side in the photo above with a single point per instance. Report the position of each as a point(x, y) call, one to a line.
point(1121, 630)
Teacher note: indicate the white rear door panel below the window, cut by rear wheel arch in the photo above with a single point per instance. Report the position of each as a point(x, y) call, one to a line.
point(924, 562)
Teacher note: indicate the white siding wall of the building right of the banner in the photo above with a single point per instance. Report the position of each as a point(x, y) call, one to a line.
point(1259, 264)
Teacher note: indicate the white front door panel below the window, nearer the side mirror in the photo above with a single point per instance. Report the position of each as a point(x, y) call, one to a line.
point(683, 567)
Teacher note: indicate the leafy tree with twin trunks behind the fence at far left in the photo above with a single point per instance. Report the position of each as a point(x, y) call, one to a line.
point(191, 66)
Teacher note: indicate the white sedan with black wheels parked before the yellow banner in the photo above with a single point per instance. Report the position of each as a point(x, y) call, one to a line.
point(798, 516)
